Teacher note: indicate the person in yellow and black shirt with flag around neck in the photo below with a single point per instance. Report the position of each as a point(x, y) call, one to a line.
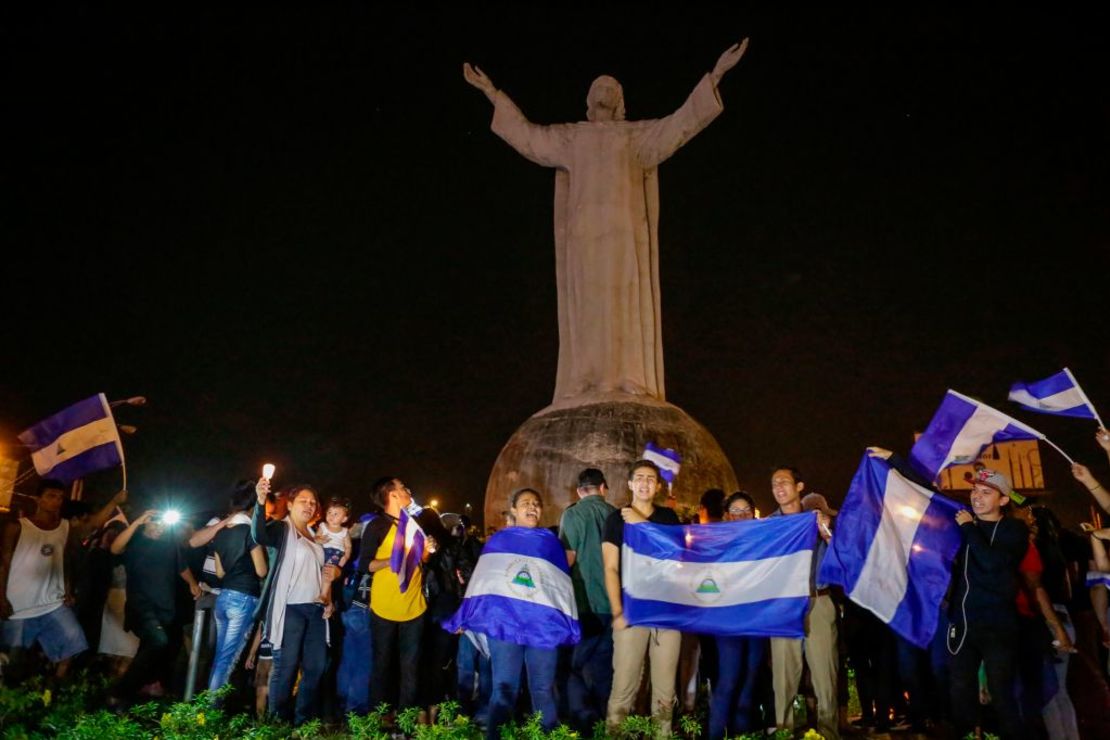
point(393, 551)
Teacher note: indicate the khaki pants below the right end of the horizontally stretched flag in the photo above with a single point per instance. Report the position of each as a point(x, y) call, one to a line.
point(821, 653)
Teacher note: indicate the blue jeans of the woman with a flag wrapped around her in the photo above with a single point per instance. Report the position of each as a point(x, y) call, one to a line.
point(508, 660)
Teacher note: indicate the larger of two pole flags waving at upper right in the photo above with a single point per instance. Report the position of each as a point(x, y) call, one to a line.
point(960, 432)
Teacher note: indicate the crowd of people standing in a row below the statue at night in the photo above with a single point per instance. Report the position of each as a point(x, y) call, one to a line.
point(319, 615)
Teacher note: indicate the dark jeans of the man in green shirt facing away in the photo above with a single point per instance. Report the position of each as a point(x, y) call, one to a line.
point(591, 680)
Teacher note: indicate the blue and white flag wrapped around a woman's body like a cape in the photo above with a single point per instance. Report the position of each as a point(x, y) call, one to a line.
point(521, 592)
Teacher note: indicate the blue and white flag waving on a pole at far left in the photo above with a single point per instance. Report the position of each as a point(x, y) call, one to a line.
point(76, 442)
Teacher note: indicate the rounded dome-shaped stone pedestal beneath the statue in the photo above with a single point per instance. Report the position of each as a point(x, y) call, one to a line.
point(607, 432)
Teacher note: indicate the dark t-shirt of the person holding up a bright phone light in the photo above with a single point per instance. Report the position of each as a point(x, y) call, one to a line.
point(154, 569)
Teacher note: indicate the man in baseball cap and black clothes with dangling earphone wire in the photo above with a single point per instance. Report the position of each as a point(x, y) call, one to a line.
point(984, 615)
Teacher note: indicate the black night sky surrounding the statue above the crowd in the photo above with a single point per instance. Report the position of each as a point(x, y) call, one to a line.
point(294, 231)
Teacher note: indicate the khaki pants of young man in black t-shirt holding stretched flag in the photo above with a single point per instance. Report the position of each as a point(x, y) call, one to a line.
point(630, 647)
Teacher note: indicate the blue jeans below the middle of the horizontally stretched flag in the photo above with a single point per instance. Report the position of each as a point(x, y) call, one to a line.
point(733, 701)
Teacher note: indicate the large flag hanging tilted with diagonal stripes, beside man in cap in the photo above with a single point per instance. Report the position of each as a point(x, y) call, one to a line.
point(894, 550)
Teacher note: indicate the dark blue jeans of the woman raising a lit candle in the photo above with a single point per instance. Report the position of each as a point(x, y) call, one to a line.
point(304, 646)
